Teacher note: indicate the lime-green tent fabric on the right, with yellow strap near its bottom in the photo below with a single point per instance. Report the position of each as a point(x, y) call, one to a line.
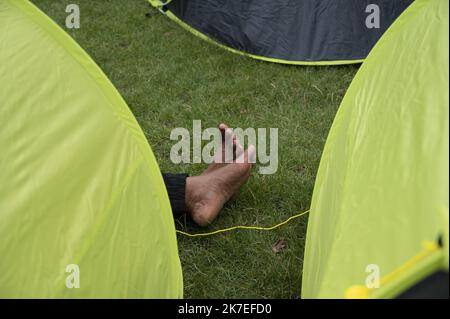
point(382, 189)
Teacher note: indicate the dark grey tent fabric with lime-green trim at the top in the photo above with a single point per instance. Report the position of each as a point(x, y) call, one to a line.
point(294, 32)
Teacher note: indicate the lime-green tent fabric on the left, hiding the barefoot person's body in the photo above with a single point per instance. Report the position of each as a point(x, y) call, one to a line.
point(79, 184)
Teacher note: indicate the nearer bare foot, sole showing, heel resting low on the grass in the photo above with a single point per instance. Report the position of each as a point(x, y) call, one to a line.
point(206, 194)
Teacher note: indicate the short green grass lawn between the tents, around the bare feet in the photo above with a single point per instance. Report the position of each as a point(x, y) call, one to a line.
point(169, 78)
